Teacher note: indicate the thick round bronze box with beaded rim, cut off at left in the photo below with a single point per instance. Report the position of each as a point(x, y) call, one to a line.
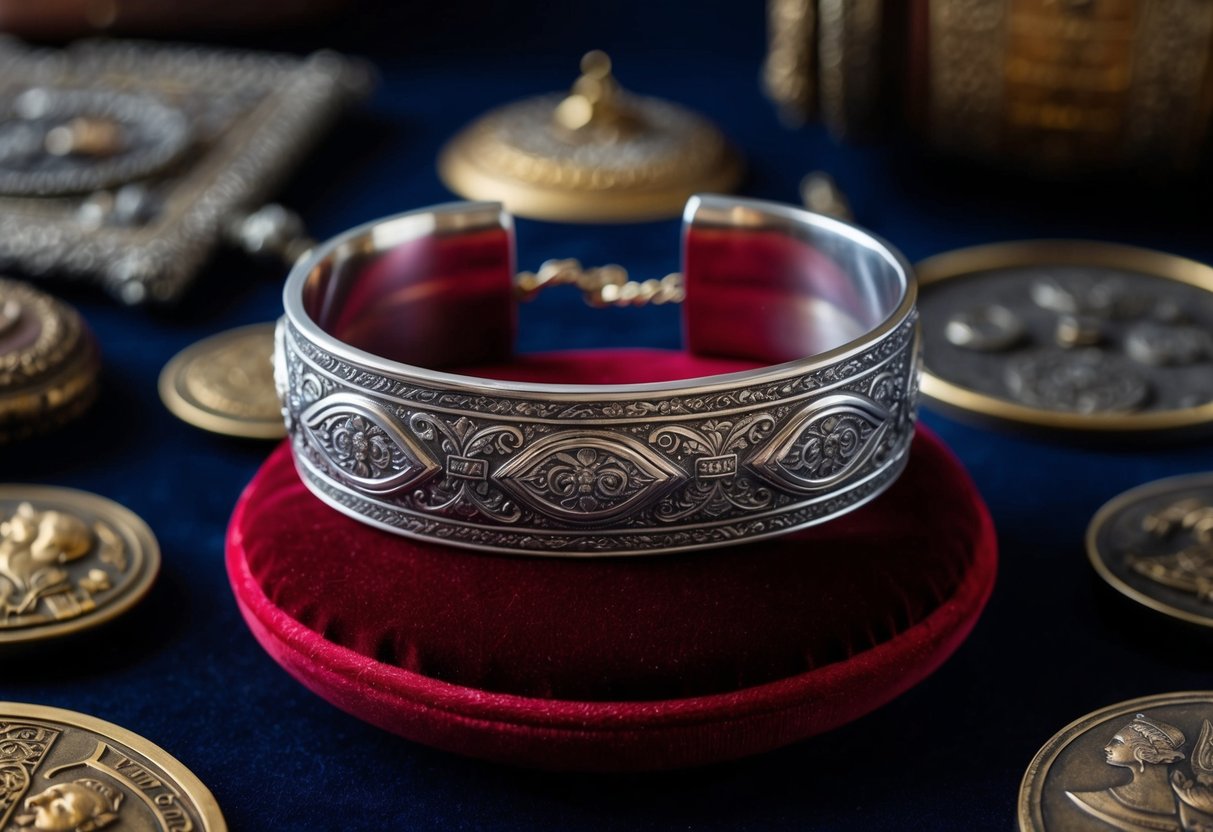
point(49, 362)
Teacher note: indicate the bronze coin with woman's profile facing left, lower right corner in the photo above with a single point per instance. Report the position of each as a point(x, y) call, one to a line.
point(1143, 766)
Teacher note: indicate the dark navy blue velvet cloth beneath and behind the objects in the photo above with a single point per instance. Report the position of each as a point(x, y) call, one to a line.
point(184, 671)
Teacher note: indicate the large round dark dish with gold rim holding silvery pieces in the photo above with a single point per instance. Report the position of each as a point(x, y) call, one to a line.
point(1069, 337)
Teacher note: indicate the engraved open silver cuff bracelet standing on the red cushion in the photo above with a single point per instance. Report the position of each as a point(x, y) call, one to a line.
point(383, 431)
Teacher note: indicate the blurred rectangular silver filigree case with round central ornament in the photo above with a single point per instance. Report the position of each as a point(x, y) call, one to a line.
point(129, 163)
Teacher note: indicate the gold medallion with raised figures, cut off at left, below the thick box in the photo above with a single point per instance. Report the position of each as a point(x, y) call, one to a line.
point(70, 561)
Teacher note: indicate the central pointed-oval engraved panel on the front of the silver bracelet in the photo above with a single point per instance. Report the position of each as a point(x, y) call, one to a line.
point(589, 476)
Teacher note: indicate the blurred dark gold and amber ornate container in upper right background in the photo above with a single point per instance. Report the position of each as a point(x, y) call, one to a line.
point(1049, 86)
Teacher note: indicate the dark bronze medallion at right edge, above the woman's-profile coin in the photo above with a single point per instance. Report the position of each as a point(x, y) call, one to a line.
point(1154, 544)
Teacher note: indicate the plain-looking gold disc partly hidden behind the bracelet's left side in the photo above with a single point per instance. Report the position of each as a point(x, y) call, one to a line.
point(226, 385)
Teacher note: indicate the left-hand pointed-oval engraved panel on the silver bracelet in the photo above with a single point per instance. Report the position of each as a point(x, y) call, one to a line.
point(365, 446)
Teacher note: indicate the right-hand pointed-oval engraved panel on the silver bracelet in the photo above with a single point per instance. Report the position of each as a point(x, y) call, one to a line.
point(824, 443)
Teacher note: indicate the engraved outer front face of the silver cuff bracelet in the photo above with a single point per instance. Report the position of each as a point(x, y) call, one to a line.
point(709, 492)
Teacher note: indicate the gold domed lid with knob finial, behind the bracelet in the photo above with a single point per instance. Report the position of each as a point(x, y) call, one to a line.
point(599, 155)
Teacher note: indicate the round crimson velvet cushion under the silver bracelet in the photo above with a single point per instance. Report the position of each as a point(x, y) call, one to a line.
point(617, 663)
